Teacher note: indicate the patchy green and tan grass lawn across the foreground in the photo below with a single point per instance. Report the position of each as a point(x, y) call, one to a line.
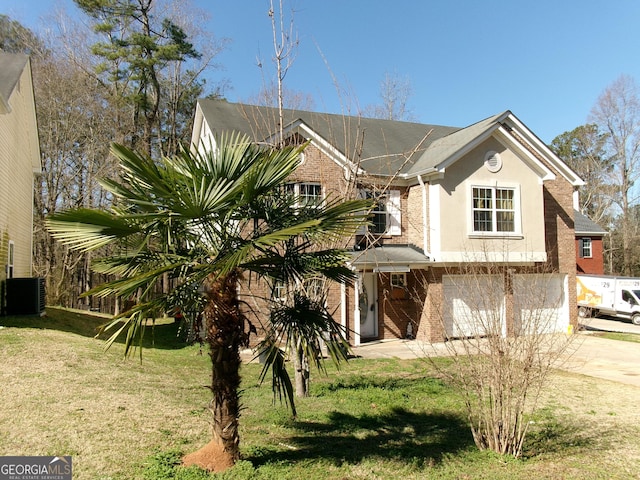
point(374, 419)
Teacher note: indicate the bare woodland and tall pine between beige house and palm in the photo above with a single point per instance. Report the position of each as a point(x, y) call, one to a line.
point(126, 71)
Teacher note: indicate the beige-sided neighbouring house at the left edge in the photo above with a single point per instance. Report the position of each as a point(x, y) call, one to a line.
point(19, 164)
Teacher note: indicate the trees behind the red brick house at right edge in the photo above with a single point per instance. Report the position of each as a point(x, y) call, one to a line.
point(605, 152)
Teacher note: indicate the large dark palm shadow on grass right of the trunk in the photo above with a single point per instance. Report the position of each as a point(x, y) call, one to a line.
point(400, 434)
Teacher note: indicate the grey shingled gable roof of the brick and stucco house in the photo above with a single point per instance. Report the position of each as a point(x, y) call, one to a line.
point(404, 150)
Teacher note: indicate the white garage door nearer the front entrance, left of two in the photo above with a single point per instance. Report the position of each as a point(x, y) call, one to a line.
point(473, 305)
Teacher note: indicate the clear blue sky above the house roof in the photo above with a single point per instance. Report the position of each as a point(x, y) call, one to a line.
point(545, 60)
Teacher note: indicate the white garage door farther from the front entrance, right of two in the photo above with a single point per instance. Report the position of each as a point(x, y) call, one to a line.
point(540, 303)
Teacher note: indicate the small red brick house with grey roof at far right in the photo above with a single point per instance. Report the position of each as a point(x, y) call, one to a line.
point(589, 249)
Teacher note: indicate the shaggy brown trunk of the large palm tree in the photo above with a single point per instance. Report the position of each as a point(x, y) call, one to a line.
point(225, 335)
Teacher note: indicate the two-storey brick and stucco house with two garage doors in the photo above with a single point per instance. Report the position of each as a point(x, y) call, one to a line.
point(491, 196)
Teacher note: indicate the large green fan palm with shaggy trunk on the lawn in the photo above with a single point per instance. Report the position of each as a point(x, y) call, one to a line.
point(205, 220)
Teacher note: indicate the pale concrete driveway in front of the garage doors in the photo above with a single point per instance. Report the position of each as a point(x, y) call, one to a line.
point(589, 355)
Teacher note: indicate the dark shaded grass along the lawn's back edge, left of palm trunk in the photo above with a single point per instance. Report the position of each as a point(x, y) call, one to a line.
point(168, 336)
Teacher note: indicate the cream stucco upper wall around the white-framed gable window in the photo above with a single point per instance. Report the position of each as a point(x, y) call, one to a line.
point(453, 193)
